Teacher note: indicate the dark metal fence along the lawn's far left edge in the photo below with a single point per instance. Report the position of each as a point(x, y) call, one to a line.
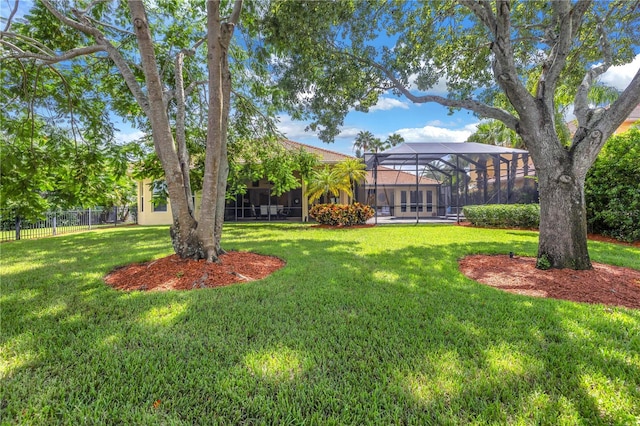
point(63, 222)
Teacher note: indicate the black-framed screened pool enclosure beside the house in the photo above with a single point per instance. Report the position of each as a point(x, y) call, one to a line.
point(430, 180)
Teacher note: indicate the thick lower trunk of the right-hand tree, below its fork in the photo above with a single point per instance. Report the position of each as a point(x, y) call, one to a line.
point(563, 222)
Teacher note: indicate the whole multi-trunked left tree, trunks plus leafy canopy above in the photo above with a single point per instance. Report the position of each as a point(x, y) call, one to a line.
point(176, 70)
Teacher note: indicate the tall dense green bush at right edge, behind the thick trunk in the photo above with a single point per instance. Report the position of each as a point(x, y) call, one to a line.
point(612, 188)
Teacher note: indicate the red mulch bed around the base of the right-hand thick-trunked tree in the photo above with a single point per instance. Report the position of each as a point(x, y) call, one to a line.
point(606, 284)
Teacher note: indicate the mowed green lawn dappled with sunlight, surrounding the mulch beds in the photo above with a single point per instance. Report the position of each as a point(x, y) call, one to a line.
point(362, 326)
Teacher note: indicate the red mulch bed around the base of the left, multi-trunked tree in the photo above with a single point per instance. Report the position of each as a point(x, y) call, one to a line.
point(174, 273)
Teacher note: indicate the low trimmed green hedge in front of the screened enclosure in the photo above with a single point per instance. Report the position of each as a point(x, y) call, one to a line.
point(504, 215)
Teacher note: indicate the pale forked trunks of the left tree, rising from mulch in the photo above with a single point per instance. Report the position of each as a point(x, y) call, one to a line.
point(196, 239)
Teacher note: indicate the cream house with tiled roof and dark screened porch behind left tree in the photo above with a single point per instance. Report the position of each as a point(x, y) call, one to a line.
point(258, 203)
